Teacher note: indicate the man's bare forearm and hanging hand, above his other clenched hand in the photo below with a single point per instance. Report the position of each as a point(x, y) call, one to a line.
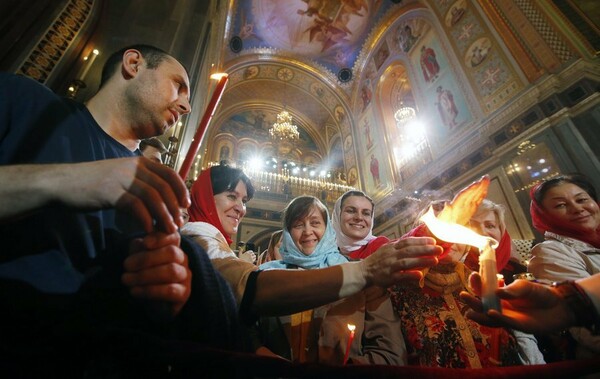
point(148, 190)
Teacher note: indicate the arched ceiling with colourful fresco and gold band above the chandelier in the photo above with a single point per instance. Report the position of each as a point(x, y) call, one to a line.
point(317, 44)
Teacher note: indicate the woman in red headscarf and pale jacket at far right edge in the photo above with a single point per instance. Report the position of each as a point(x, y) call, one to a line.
point(565, 209)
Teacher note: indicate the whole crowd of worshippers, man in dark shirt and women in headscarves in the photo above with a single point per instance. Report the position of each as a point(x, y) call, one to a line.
point(99, 252)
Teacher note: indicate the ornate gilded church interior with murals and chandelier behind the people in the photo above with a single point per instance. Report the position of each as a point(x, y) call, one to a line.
point(406, 100)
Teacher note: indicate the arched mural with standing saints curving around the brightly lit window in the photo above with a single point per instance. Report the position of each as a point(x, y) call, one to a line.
point(442, 103)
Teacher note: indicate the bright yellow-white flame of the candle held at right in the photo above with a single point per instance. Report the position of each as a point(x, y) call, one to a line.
point(455, 233)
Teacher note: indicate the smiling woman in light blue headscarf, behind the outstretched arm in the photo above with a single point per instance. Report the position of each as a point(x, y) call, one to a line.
point(322, 334)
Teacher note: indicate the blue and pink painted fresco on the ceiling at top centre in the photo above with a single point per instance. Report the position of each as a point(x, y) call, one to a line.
point(329, 32)
